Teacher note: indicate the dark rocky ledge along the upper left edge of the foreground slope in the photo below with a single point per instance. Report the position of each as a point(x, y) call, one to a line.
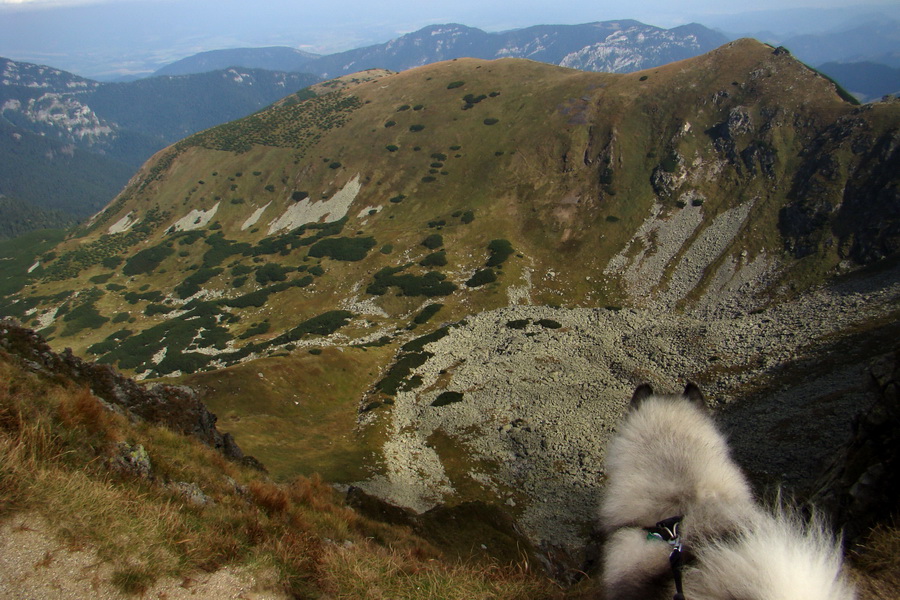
point(174, 406)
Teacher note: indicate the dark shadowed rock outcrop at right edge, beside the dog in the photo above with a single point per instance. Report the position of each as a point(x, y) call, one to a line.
point(862, 485)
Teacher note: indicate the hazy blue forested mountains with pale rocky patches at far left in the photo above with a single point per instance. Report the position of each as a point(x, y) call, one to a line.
point(68, 143)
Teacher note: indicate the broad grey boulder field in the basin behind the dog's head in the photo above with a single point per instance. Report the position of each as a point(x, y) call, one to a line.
point(541, 390)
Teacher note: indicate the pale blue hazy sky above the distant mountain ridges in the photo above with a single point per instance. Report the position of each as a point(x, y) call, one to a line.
point(97, 37)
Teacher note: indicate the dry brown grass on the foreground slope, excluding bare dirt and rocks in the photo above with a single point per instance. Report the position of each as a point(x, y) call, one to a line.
point(56, 444)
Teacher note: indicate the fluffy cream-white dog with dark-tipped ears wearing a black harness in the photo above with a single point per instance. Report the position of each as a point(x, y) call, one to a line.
point(678, 509)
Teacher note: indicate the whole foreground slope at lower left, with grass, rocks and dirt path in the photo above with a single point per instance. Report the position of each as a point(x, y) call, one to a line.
point(101, 497)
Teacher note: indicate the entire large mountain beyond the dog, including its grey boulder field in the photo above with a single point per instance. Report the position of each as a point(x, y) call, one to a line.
point(414, 281)
